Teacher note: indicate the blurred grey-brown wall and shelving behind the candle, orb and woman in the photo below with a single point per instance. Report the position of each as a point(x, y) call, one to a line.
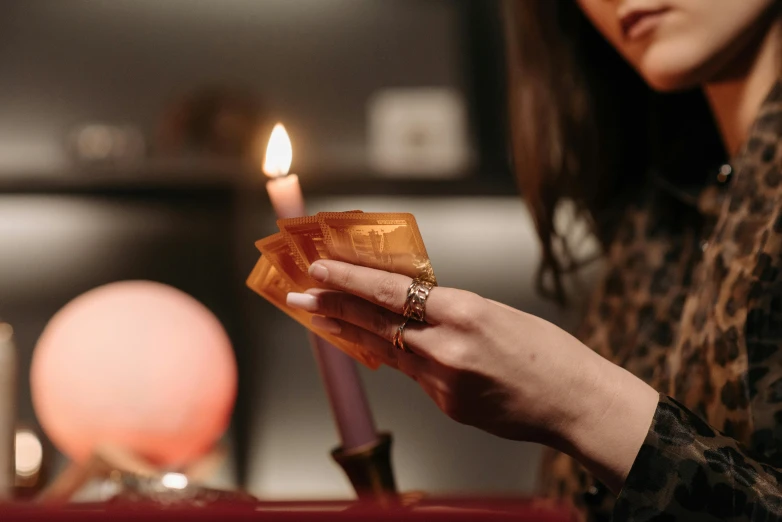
point(129, 150)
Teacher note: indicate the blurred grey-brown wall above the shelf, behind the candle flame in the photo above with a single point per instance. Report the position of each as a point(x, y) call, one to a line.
point(312, 63)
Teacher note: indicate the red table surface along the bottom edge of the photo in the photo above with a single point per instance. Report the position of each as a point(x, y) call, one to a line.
point(450, 509)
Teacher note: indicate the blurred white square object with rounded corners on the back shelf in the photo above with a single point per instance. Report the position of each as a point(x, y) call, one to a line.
point(420, 132)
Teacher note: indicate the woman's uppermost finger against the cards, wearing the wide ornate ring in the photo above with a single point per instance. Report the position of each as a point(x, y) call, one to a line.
point(384, 289)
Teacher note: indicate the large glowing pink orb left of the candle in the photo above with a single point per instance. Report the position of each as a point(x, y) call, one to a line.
point(134, 364)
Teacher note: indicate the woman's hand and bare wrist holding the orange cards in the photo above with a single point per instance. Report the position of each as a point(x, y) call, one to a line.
point(490, 366)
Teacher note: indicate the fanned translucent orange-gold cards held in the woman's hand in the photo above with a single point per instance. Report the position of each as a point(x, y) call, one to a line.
point(389, 242)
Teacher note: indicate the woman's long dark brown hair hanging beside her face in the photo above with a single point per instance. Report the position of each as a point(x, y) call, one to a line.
point(586, 128)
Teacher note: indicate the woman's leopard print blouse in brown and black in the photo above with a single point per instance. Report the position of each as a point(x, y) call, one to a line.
point(691, 302)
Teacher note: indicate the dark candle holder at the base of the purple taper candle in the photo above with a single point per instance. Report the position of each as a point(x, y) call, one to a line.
point(370, 472)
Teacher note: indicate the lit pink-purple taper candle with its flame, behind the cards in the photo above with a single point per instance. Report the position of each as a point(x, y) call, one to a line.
point(346, 394)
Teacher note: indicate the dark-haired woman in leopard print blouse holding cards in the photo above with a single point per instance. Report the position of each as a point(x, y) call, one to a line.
point(691, 304)
